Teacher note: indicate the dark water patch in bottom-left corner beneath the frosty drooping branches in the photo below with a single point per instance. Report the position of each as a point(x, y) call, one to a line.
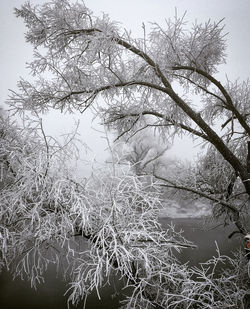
point(18, 294)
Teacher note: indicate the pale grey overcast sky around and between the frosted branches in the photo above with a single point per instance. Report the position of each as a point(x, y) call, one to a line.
point(14, 52)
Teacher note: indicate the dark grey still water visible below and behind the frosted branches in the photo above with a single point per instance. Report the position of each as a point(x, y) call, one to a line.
point(18, 294)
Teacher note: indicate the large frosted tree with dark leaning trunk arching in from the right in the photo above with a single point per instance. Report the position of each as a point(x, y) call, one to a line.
point(140, 79)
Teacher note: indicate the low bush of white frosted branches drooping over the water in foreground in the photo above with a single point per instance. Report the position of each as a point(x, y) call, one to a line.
point(97, 228)
